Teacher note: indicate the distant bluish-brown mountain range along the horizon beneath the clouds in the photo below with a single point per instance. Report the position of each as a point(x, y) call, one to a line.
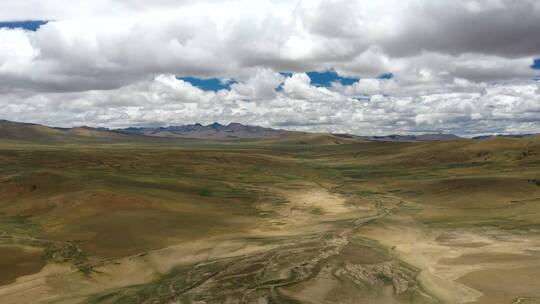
point(36, 132)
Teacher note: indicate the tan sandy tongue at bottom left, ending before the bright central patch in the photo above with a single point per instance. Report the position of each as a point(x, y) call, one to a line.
point(60, 283)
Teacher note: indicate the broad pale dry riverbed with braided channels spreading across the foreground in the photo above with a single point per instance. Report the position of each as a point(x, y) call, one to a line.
point(315, 246)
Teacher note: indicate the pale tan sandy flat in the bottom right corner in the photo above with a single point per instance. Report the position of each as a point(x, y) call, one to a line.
point(460, 266)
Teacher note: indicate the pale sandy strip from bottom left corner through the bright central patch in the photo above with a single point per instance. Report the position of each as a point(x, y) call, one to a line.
point(65, 284)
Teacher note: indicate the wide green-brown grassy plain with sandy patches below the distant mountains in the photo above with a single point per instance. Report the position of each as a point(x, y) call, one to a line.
point(302, 219)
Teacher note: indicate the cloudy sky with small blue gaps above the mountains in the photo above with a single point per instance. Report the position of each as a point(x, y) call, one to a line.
point(367, 67)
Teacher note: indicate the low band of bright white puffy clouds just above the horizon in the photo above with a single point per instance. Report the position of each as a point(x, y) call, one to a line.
point(166, 100)
